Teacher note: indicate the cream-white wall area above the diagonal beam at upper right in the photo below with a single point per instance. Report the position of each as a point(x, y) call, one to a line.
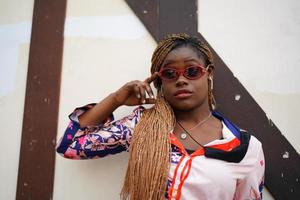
point(259, 41)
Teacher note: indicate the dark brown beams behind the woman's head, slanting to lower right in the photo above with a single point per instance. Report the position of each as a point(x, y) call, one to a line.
point(282, 175)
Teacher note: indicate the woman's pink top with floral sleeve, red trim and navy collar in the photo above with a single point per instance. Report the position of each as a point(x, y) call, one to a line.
point(228, 168)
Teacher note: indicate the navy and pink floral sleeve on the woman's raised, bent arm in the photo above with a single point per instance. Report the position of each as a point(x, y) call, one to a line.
point(109, 137)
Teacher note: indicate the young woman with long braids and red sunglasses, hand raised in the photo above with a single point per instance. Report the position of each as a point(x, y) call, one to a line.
point(180, 148)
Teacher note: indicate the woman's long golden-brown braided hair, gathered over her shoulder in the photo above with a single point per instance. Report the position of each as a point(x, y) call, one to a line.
point(149, 161)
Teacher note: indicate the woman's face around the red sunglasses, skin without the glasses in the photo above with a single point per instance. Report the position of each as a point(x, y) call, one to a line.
point(184, 94)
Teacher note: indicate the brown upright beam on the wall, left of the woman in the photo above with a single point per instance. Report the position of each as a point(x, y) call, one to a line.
point(37, 153)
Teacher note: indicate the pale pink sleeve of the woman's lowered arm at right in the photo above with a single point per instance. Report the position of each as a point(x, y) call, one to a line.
point(251, 186)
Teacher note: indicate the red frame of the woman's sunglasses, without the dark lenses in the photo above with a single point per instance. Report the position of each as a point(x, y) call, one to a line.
point(180, 72)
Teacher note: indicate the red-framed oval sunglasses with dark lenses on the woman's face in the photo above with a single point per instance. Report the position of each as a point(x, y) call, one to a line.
point(191, 73)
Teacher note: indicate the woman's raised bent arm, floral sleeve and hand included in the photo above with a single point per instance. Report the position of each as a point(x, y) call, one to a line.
point(92, 132)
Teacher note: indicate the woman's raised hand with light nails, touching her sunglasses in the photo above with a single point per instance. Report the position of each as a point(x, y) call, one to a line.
point(134, 92)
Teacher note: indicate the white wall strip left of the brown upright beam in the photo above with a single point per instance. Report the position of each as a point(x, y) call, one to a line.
point(15, 29)
